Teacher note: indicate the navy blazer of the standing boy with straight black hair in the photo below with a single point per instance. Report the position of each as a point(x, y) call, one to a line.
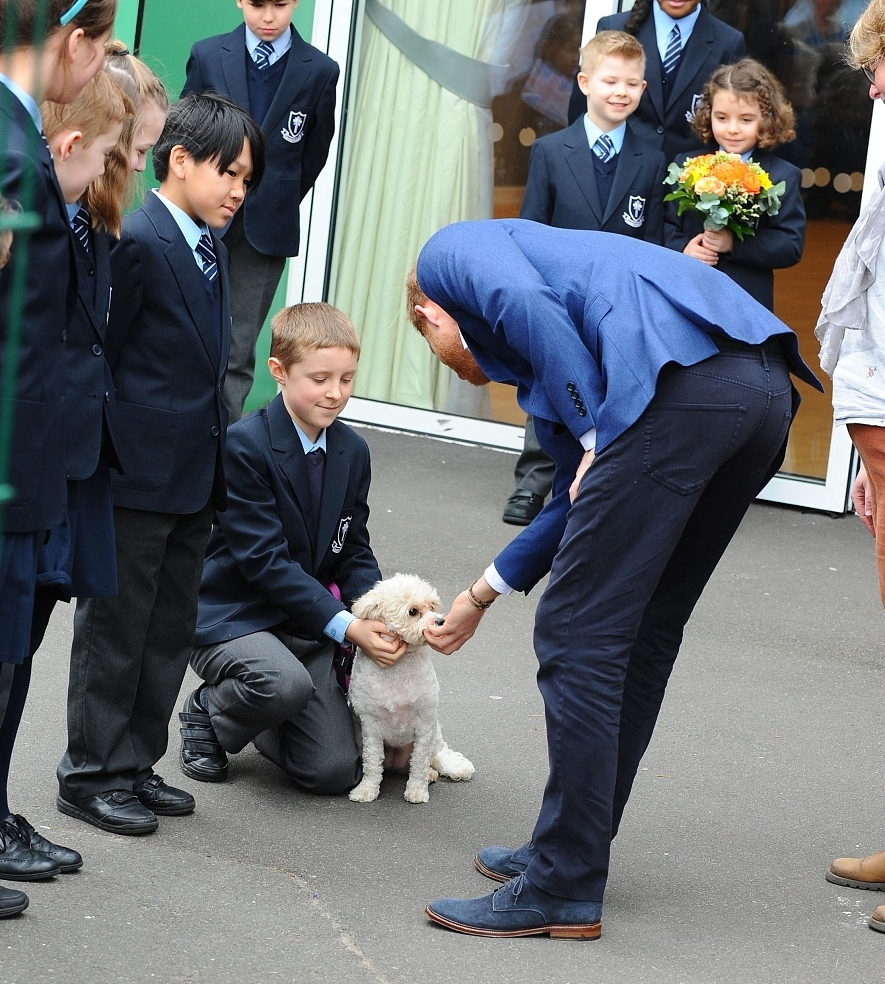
point(163, 350)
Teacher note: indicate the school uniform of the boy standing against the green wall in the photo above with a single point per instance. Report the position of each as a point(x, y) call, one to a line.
point(293, 100)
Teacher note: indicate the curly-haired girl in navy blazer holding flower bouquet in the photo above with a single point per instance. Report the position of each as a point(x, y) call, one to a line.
point(744, 112)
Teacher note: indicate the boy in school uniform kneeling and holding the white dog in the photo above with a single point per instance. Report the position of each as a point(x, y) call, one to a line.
point(287, 558)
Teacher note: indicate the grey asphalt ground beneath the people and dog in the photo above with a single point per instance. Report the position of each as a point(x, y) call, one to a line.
point(763, 768)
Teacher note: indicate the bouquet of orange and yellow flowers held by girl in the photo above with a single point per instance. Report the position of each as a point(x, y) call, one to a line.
point(727, 191)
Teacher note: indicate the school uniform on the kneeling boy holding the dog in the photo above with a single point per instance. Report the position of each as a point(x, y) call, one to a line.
point(265, 597)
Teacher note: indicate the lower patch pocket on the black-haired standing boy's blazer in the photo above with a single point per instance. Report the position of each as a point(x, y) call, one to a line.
point(151, 435)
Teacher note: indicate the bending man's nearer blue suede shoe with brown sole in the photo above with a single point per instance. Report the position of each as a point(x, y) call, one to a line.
point(519, 908)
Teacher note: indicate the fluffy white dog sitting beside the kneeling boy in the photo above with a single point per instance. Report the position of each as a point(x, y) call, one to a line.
point(397, 706)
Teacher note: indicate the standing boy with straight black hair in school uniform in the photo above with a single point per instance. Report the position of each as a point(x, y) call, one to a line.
point(166, 343)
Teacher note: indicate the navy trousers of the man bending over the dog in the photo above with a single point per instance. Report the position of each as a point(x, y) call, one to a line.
point(654, 514)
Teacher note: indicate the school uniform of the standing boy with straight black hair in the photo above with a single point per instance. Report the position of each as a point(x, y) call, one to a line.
point(167, 341)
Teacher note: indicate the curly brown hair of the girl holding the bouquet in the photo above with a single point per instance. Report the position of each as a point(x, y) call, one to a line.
point(749, 80)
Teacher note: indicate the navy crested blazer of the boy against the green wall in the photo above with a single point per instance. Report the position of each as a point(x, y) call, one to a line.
point(307, 86)
